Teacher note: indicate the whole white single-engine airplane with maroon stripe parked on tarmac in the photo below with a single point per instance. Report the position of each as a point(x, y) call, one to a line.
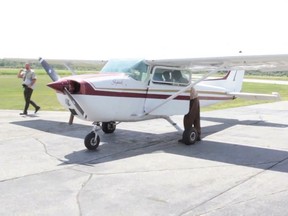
point(135, 90)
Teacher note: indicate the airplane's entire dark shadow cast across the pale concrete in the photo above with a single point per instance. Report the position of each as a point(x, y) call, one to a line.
point(128, 143)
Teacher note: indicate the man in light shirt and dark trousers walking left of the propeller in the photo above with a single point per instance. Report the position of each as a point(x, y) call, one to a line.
point(29, 79)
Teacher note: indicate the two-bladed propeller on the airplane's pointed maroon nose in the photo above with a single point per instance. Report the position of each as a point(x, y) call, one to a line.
point(55, 77)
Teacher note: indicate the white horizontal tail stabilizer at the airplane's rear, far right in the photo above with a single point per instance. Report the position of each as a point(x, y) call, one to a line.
point(254, 96)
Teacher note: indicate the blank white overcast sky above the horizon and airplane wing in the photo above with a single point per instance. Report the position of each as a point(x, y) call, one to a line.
point(151, 29)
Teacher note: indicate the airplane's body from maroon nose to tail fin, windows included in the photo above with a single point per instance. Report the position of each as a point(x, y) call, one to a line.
point(136, 90)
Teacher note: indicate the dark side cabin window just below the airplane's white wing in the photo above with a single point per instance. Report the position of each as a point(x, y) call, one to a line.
point(171, 76)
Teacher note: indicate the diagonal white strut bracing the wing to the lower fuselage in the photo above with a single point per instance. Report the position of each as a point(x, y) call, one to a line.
point(192, 84)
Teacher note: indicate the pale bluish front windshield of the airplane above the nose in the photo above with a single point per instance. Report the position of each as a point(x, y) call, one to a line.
point(137, 69)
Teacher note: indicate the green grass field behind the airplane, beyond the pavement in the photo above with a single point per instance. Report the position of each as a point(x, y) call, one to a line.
point(11, 94)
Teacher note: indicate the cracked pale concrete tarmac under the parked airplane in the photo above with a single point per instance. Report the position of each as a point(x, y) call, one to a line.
point(239, 168)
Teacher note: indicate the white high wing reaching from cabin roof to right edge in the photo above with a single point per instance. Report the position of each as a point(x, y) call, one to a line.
point(265, 63)
